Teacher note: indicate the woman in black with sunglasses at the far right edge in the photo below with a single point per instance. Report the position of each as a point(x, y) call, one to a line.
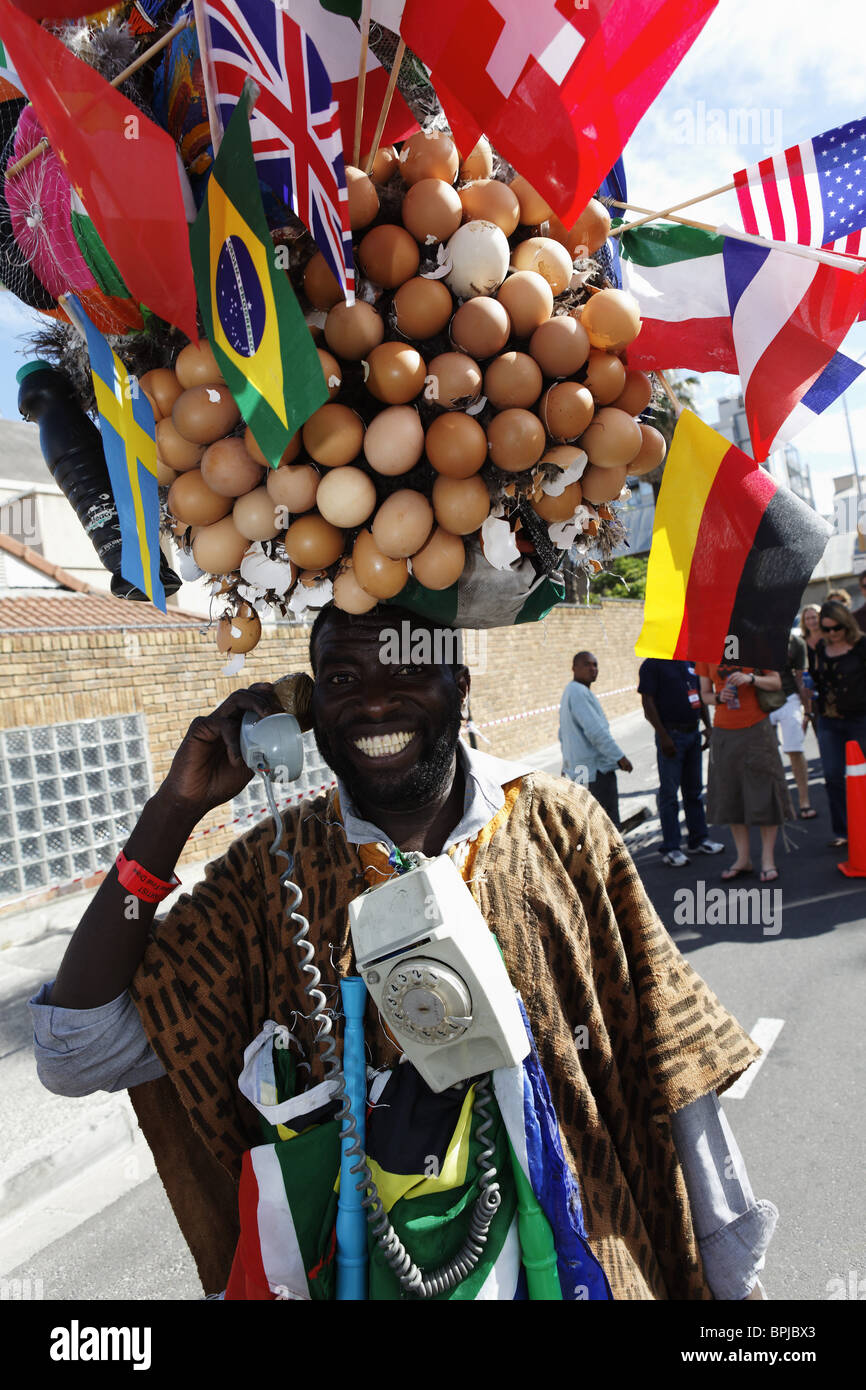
point(839, 669)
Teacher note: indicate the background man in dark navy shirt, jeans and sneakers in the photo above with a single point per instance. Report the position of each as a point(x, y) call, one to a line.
point(672, 704)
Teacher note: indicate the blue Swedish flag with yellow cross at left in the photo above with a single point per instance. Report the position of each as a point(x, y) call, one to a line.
point(129, 436)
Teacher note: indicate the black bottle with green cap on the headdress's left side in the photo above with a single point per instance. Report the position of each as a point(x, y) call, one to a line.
point(73, 450)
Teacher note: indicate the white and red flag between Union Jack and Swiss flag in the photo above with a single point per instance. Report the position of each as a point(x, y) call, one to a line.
point(340, 45)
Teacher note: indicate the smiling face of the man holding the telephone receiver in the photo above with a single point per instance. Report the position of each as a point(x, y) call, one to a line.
point(389, 732)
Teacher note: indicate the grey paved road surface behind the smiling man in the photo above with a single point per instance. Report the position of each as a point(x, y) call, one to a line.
point(797, 1125)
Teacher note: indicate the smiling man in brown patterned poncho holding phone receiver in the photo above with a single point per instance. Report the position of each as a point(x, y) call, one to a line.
point(633, 1045)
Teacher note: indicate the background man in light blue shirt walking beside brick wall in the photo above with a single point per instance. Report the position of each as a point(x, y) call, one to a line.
point(590, 753)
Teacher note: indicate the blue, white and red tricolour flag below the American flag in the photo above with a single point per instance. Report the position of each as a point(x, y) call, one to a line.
point(789, 318)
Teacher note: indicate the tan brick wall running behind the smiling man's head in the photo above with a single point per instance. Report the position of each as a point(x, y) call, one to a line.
point(173, 675)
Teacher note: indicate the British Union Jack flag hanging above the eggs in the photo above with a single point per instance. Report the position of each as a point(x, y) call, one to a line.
point(295, 124)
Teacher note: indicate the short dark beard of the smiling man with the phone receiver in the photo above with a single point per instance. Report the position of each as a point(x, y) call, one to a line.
point(407, 790)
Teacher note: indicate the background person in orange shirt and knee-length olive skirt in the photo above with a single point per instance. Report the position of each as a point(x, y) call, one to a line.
point(746, 779)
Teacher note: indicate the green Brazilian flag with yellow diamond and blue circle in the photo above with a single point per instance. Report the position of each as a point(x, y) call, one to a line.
point(252, 318)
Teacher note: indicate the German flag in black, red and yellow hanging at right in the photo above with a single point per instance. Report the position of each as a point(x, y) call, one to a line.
point(732, 555)
